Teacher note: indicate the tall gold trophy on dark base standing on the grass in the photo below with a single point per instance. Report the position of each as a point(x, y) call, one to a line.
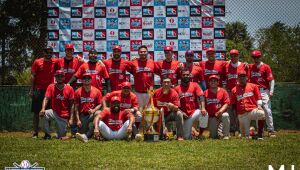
point(150, 117)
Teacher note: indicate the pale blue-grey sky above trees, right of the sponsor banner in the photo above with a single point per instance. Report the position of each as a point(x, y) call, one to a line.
point(263, 13)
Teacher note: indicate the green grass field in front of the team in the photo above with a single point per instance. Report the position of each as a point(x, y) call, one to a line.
point(206, 154)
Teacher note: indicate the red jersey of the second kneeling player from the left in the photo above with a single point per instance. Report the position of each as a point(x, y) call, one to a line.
point(87, 100)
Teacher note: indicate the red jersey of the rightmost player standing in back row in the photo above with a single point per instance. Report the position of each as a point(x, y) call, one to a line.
point(261, 75)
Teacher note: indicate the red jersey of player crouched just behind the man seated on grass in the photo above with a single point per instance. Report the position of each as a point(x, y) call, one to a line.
point(127, 102)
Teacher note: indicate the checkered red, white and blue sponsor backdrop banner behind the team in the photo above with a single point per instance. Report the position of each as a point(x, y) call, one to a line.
point(101, 24)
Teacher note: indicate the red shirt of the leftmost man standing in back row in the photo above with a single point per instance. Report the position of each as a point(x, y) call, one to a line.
point(44, 73)
